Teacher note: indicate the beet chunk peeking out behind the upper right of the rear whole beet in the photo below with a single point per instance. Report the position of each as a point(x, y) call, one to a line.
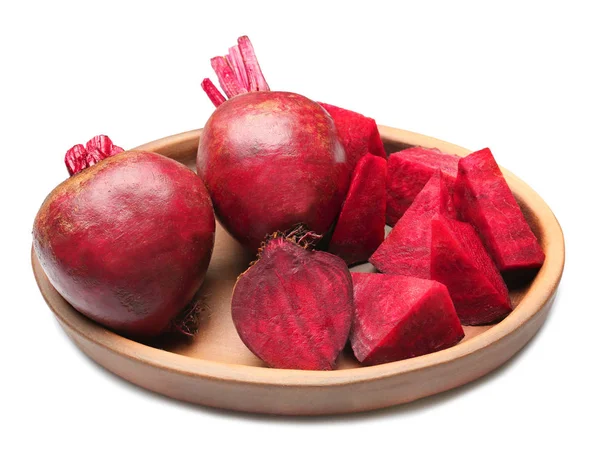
point(358, 133)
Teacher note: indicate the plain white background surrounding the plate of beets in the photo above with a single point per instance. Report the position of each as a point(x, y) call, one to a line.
point(521, 78)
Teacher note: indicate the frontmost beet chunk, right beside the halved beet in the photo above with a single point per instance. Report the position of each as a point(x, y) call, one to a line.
point(398, 317)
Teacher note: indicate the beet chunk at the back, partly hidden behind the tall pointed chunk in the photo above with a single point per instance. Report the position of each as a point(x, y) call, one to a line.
point(408, 172)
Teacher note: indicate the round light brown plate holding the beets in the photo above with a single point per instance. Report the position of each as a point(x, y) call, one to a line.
point(216, 369)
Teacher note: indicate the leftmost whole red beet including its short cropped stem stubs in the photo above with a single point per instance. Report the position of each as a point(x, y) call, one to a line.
point(126, 242)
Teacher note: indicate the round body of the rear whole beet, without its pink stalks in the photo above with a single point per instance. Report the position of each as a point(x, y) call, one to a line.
point(271, 160)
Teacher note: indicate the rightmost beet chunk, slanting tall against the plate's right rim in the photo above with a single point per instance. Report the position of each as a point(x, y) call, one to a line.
point(483, 199)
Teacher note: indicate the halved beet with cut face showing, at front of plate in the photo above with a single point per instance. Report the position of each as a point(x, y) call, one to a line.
point(293, 307)
